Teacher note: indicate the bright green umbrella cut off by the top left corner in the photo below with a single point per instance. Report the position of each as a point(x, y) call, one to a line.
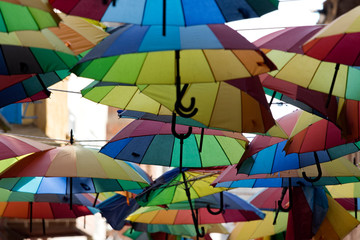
point(35, 15)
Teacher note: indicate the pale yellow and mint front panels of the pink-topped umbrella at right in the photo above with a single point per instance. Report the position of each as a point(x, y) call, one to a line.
point(318, 74)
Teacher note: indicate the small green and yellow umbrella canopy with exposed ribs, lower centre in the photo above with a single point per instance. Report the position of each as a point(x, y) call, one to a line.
point(169, 188)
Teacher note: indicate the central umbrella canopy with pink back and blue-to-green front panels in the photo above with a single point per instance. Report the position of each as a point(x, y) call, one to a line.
point(151, 142)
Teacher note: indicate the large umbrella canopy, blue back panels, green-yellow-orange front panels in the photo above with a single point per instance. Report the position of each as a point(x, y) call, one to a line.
point(207, 53)
